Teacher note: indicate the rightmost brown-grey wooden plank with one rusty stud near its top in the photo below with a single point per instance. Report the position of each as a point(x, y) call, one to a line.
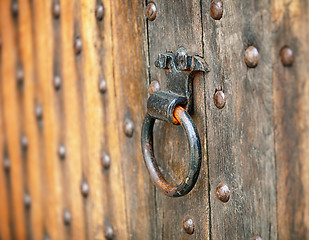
point(291, 92)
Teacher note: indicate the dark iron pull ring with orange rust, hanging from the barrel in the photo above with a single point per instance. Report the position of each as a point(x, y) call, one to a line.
point(195, 155)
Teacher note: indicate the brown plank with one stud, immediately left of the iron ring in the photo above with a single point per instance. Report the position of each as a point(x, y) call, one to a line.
point(129, 70)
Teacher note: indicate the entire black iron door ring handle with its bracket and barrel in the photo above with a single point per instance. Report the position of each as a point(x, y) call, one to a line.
point(173, 105)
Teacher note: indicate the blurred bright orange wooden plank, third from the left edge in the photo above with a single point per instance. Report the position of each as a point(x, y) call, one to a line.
point(51, 171)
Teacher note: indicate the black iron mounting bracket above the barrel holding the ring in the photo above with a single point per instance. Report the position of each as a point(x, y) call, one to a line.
point(180, 72)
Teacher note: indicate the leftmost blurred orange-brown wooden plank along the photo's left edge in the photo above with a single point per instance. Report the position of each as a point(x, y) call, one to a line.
point(11, 118)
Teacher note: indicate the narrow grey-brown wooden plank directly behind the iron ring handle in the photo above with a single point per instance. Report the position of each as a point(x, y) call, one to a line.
point(178, 24)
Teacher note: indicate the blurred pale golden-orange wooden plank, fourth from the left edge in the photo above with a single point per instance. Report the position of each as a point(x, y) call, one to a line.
point(76, 147)
